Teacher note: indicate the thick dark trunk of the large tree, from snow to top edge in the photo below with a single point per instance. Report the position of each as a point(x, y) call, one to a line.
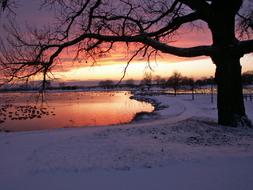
point(230, 102)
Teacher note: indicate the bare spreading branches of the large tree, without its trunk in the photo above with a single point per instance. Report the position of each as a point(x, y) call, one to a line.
point(93, 28)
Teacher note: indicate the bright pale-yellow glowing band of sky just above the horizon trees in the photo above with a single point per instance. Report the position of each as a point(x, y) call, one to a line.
point(192, 68)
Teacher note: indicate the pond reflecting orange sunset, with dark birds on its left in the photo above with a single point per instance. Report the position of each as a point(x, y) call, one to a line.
point(23, 111)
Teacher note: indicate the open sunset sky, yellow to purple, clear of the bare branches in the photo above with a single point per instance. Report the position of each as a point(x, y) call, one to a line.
point(112, 66)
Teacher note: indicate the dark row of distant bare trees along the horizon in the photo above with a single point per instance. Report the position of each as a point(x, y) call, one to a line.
point(176, 81)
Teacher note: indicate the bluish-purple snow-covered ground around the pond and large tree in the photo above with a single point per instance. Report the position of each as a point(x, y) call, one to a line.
point(180, 147)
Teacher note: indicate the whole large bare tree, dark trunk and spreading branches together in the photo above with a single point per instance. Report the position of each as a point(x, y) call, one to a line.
point(93, 27)
